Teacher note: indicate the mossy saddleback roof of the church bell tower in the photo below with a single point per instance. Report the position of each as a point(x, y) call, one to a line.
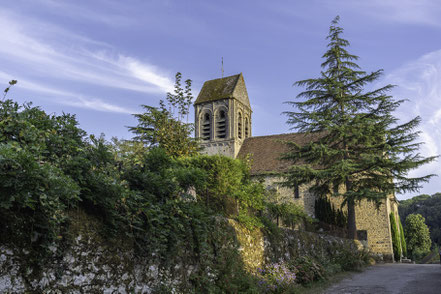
point(227, 87)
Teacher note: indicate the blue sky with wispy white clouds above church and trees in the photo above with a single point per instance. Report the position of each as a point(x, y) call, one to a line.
point(102, 59)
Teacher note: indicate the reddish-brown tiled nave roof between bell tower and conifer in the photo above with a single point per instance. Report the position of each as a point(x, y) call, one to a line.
point(266, 151)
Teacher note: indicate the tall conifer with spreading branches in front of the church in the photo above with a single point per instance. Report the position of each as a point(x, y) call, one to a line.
point(357, 143)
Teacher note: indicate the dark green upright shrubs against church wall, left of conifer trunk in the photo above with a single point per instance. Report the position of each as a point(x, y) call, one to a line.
point(326, 212)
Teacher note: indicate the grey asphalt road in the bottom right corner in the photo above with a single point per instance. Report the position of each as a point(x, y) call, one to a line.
point(392, 278)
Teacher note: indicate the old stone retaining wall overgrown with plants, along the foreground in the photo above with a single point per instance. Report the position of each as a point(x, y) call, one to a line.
point(92, 264)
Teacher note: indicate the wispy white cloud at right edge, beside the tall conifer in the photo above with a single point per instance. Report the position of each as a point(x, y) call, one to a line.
point(420, 82)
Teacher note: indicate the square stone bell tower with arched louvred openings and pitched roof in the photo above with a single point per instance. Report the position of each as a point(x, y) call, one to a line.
point(223, 115)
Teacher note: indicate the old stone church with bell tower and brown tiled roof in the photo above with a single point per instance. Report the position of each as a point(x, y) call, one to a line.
point(223, 123)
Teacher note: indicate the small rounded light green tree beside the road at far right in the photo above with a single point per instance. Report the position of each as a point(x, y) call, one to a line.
point(417, 236)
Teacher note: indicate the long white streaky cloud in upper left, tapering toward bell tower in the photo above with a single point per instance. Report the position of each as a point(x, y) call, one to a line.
point(76, 58)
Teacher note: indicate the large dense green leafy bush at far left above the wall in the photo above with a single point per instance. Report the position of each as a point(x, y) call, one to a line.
point(35, 187)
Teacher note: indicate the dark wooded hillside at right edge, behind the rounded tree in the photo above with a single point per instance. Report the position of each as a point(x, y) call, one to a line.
point(430, 208)
